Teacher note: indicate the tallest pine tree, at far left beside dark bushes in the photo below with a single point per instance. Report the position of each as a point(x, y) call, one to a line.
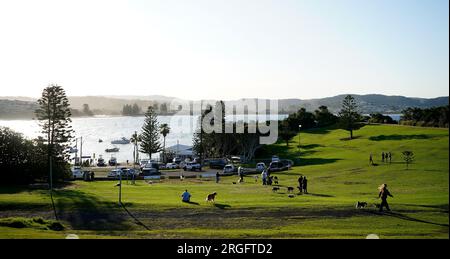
point(54, 118)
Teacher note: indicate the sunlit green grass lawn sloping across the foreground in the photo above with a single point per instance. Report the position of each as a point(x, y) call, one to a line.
point(338, 173)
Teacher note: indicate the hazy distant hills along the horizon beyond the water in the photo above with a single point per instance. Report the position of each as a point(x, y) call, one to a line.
point(23, 107)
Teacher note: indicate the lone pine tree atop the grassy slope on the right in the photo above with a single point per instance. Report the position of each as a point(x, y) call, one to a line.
point(349, 118)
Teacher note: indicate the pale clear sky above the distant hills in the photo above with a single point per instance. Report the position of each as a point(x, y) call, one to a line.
point(225, 49)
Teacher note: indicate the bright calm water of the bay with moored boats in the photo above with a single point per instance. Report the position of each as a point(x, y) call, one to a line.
point(110, 128)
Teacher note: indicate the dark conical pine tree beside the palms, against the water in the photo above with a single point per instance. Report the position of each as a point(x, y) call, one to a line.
point(150, 133)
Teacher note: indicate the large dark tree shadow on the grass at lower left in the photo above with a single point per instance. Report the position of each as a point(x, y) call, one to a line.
point(84, 211)
